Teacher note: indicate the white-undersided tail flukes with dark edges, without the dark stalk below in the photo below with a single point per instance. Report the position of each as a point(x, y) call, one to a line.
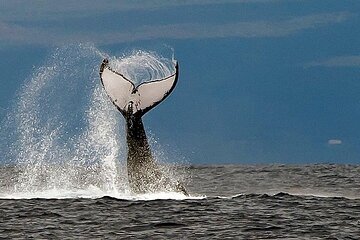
point(137, 99)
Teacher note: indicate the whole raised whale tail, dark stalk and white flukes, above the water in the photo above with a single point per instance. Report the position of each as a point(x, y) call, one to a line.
point(133, 101)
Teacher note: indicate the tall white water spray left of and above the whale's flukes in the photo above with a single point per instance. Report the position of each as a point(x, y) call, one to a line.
point(63, 134)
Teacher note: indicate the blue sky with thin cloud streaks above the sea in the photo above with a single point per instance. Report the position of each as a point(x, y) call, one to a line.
point(261, 81)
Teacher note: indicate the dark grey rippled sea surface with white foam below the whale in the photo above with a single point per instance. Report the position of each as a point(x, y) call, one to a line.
point(225, 202)
